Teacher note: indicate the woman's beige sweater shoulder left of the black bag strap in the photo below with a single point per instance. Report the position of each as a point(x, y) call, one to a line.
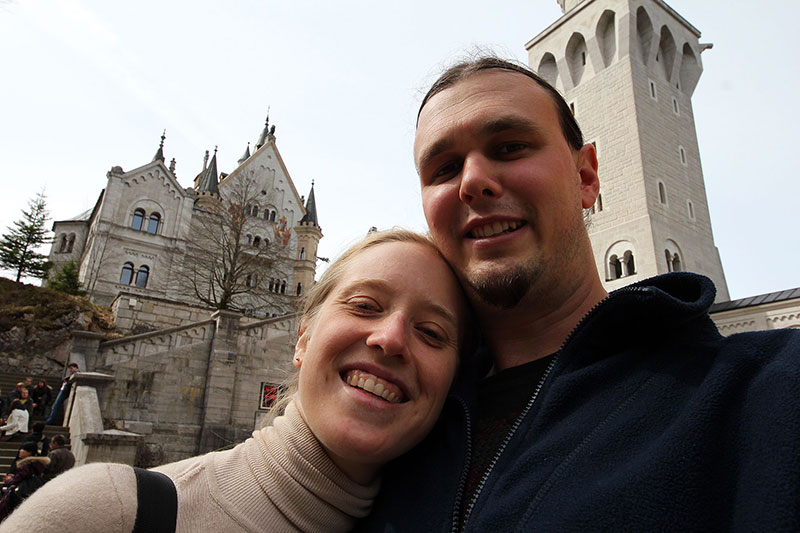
point(98, 497)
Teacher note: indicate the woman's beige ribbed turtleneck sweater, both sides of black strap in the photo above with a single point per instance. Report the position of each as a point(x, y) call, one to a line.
point(279, 480)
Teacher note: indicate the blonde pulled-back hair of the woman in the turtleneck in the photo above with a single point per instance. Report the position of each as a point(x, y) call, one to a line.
point(331, 279)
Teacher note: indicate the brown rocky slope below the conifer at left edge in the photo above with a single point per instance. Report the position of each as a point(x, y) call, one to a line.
point(35, 325)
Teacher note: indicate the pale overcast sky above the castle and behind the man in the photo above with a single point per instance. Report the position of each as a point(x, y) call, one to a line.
point(87, 85)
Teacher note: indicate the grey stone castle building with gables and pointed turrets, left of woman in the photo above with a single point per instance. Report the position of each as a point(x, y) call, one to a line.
point(148, 236)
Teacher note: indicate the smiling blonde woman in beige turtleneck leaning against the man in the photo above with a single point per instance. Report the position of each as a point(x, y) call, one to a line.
point(377, 352)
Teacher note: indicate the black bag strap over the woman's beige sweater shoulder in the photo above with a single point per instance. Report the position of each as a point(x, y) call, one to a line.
point(157, 502)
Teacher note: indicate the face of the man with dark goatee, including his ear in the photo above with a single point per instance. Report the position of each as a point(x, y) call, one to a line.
point(502, 190)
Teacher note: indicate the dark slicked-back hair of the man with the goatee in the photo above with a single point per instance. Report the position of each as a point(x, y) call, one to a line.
point(465, 69)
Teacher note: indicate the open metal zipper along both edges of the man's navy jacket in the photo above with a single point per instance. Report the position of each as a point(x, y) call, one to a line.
point(521, 416)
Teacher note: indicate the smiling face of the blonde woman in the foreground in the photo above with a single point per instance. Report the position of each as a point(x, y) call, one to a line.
point(378, 358)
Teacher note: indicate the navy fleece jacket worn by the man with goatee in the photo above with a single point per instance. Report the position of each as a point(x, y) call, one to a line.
point(648, 419)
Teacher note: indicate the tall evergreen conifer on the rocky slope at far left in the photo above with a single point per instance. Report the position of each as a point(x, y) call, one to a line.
point(18, 245)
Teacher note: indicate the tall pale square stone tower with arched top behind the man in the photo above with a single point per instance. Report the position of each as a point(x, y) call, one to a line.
point(627, 69)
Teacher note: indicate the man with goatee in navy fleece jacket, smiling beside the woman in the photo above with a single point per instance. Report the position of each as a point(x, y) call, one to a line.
point(594, 411)
